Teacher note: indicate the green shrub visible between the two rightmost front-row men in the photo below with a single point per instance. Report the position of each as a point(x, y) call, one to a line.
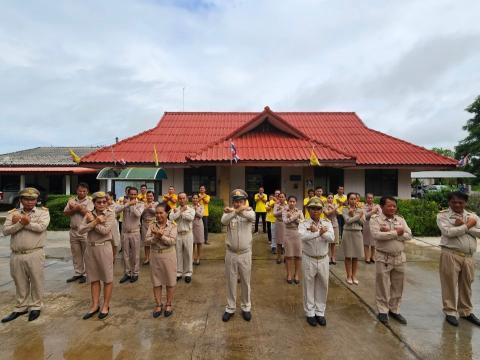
point(420, 215)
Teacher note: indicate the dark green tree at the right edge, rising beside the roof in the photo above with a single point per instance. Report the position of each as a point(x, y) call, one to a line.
point(471, 144)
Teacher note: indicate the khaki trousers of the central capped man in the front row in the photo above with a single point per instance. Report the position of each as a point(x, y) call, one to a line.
point(238, 265)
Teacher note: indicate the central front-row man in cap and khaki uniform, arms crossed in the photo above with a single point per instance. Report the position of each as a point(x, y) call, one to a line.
point(238, 255)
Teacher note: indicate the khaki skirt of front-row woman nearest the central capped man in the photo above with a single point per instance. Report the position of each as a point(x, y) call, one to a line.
point(163, 268)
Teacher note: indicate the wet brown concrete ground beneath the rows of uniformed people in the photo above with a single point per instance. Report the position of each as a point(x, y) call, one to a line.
point(277, 330)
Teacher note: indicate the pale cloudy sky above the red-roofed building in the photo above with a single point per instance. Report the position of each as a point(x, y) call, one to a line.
point(84, 72)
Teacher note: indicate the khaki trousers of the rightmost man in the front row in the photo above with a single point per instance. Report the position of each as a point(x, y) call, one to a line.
point(456, 277)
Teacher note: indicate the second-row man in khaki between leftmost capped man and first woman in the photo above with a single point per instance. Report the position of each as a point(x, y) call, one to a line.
point(76, 209)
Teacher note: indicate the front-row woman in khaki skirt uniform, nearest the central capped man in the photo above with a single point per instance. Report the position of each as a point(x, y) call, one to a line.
point(161, 236)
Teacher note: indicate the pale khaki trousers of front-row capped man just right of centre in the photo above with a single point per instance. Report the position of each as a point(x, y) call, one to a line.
point(315, 285)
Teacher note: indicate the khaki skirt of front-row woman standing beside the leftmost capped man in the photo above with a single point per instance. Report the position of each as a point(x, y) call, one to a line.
point(99, 262)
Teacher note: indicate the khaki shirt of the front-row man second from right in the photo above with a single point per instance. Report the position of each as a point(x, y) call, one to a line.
point(389, 241)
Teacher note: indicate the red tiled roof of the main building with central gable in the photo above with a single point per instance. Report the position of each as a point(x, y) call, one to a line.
point(204, 136)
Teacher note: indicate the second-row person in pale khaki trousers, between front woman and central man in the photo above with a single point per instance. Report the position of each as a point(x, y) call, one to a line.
point(184, 215)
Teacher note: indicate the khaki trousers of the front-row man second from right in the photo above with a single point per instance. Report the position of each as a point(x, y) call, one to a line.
point(389, 281)
